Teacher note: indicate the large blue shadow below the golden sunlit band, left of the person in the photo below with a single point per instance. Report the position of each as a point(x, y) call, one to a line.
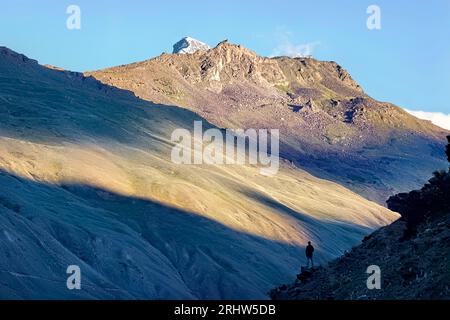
point(127, 248)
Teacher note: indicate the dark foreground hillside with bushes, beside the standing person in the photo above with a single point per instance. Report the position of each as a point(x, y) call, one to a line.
point(412, 254)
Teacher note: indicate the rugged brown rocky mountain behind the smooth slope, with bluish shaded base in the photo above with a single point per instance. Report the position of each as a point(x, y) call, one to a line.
point(328, 125)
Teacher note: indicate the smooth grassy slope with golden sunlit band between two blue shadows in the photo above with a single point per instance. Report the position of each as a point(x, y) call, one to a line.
point(86, 179)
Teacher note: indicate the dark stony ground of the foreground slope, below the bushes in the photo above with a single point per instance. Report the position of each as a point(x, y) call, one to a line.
point(416, 268)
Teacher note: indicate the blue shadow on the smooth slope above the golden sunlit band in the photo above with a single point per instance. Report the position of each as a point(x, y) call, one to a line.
point(54, 106)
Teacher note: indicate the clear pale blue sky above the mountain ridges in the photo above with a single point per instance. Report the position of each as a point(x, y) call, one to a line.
point(407, 62)
